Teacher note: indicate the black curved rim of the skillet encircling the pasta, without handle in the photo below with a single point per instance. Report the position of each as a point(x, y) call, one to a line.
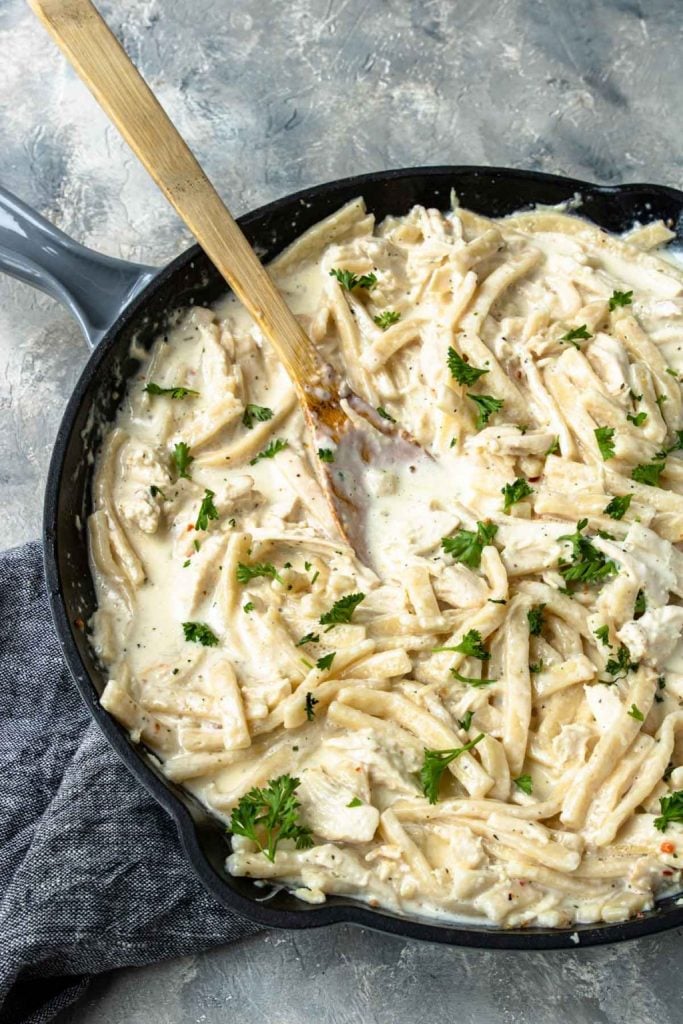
point(667, 914)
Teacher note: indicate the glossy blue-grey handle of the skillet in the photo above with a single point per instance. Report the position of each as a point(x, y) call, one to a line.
point(94, 287)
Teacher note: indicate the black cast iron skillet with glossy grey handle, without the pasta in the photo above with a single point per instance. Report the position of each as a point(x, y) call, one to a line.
point(116, 303)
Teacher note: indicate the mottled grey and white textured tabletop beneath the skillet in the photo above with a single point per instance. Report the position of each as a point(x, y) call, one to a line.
point(276, 96)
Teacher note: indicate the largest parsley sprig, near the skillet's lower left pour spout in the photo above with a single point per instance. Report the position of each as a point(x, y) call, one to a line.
point(268, 816)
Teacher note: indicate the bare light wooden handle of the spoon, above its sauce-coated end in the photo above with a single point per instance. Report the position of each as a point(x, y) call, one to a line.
point(122, 93)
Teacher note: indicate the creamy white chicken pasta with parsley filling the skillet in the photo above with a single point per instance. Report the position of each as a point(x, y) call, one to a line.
point(488, 724)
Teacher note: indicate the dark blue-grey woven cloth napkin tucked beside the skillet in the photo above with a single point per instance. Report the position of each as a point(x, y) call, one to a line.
point(92, 872)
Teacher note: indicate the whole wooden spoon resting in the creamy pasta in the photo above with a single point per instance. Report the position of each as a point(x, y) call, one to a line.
point(333, 413)
